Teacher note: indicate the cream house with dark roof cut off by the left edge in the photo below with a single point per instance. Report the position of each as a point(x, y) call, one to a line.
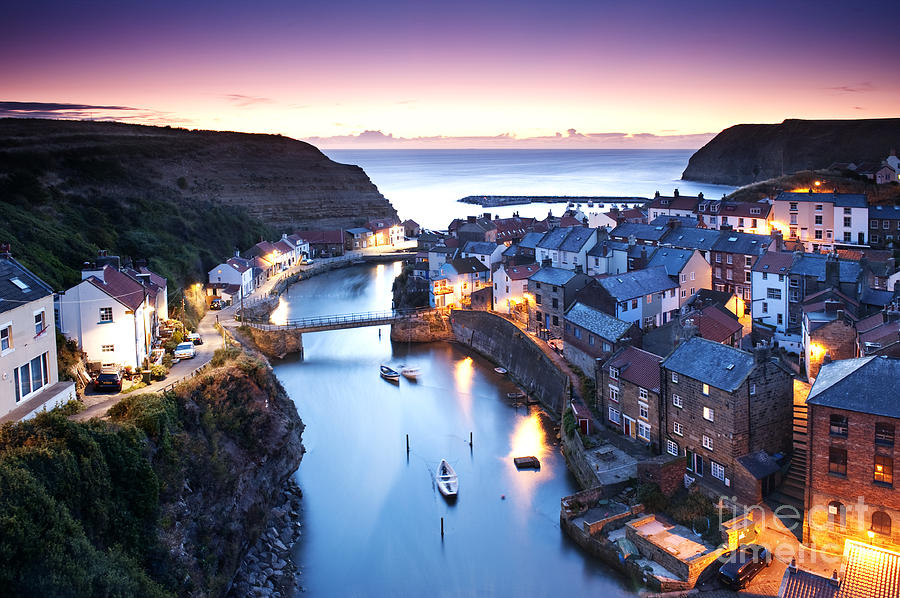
point(28, 363)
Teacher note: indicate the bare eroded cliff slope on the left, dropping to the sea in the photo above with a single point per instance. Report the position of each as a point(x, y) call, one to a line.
point(286, 183)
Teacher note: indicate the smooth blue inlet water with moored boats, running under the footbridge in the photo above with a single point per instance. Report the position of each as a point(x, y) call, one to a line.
point(372, 513)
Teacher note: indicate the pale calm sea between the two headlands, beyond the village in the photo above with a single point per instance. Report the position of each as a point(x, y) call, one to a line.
point(425, 184)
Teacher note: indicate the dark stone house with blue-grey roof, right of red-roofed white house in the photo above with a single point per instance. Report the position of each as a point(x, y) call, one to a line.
point(551, 291)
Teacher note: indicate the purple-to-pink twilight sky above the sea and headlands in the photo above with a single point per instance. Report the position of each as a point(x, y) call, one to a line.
point(348, 73)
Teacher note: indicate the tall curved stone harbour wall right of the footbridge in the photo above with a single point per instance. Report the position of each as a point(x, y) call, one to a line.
point(503, 343)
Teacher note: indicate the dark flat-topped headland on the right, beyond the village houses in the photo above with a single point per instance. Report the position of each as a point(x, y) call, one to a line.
point(748, 153)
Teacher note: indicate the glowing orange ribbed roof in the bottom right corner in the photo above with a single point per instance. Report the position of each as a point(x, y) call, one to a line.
point(870, 572)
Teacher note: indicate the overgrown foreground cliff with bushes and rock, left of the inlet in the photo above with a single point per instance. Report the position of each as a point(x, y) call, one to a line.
point(162, 500)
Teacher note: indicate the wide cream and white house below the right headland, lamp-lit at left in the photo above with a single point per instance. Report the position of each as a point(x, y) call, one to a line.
point(821, 220)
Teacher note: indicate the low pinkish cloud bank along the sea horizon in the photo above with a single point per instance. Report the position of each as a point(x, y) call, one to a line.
point(376, 139)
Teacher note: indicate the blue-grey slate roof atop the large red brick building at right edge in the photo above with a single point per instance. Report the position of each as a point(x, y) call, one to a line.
point(863, 384)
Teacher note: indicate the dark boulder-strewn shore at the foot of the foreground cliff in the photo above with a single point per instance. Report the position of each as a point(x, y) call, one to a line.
point(268, 570)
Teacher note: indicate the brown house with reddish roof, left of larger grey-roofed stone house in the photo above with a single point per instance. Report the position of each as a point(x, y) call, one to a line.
point(628, 396)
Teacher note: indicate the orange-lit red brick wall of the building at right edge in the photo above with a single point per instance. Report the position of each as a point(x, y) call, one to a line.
point(857, 490)
